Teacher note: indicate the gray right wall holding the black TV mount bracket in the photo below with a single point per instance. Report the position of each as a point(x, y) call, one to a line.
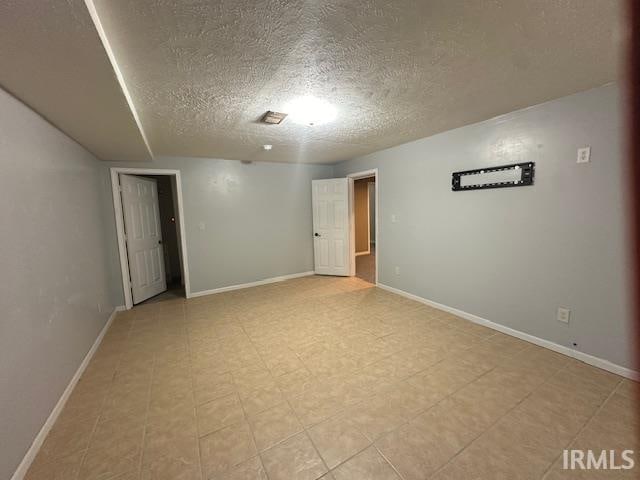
point(514, 255)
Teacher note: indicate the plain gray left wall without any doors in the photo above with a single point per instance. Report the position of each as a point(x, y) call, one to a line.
point(53, 258)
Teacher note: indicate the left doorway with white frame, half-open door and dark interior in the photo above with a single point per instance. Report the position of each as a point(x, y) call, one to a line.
point(150, 229)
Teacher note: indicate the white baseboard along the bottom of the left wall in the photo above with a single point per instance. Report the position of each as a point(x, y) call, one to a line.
point(26, 462)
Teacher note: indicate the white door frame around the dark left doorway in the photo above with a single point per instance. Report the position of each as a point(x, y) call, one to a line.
point(122, 244)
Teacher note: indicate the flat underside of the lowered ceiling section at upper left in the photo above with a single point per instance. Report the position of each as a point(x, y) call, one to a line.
point(52, 59)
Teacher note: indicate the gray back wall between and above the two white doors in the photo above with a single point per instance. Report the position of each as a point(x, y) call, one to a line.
point(244, 222)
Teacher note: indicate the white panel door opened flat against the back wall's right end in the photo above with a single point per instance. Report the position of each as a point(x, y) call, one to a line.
point(331, 241)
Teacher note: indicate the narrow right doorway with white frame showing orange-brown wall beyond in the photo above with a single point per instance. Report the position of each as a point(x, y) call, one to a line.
point(364, 225)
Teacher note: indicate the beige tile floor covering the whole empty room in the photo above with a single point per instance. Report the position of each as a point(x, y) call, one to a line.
point(329, 378)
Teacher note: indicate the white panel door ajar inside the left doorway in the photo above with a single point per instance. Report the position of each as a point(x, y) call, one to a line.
point(143, 236)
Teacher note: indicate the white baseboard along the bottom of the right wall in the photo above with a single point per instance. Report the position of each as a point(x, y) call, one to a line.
point(570, 352)
